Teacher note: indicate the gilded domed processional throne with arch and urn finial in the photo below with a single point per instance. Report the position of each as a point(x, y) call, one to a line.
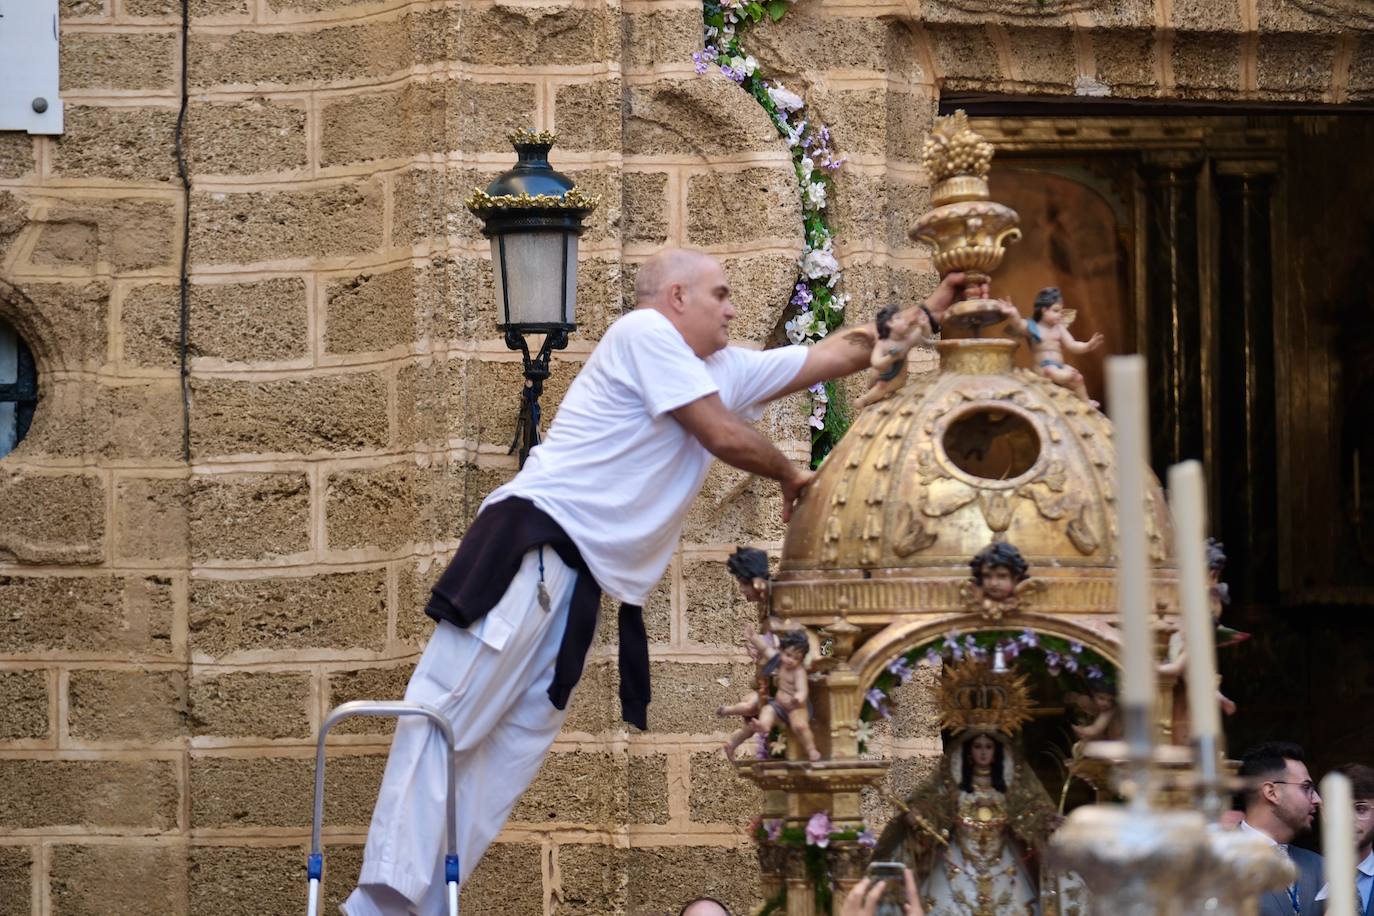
point(876, 562)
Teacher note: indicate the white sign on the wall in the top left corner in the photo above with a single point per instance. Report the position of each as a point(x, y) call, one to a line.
point(30, 67)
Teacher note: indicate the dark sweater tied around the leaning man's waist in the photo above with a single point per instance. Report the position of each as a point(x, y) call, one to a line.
point(484, 568)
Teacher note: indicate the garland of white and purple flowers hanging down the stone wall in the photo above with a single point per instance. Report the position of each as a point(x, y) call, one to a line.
point(821, 306)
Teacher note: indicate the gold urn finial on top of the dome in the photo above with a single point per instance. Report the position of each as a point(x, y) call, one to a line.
point(968, 231)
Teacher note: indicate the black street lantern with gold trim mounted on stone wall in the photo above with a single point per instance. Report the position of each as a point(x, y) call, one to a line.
point(532, 216)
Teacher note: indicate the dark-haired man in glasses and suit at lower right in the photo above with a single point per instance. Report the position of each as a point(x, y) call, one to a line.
point(1280, 804)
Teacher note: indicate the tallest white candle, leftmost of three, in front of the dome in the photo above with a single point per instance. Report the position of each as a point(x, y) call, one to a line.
point(1126, 399)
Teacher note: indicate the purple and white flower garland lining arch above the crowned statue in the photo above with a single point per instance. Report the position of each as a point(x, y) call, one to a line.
point(1039, 654)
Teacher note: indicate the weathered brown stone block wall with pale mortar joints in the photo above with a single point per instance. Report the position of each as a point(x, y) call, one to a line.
point(172, 630)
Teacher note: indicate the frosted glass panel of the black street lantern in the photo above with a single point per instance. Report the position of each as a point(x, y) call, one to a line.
point(530, 277)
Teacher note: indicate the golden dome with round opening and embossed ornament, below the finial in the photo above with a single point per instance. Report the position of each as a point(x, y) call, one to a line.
point(928, 479)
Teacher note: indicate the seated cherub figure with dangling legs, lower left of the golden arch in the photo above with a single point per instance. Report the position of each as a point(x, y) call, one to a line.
point(784, 657)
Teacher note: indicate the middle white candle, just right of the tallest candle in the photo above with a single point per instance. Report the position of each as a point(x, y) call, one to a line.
point(1186, 502)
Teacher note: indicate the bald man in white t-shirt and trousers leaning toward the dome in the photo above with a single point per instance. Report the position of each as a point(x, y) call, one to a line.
point(598, 506)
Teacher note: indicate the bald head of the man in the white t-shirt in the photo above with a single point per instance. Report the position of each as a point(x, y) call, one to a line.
point(690, 290)
